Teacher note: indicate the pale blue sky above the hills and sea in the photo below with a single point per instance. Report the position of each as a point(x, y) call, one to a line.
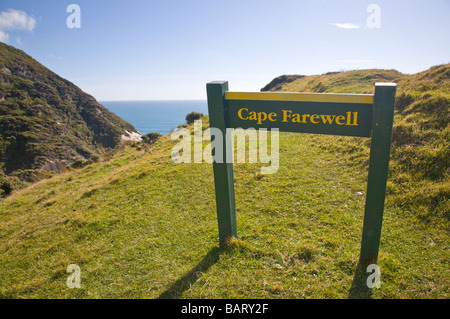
point(170, 49)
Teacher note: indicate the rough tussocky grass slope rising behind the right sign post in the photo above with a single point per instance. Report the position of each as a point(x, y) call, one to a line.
point(420, 154)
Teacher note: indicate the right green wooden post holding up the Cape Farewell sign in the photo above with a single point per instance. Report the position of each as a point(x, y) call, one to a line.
point(383, 115)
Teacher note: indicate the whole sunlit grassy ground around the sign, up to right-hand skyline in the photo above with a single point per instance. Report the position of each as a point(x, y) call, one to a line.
point(140, 226)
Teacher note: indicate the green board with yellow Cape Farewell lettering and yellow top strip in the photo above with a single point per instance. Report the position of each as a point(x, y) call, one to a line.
point(306, 113)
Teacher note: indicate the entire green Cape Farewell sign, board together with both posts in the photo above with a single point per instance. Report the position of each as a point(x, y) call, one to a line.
point(361, 115)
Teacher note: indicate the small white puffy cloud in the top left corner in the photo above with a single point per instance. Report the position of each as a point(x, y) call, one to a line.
point(12, 20)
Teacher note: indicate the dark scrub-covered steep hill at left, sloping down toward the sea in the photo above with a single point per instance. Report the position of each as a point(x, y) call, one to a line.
point(46, 121)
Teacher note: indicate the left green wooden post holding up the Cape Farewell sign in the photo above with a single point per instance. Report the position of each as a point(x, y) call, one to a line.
point(223, 171)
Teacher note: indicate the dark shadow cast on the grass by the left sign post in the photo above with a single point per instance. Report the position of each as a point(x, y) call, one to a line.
point(182, 284)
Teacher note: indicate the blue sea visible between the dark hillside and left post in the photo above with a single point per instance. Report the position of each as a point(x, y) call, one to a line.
point(155, 116)
